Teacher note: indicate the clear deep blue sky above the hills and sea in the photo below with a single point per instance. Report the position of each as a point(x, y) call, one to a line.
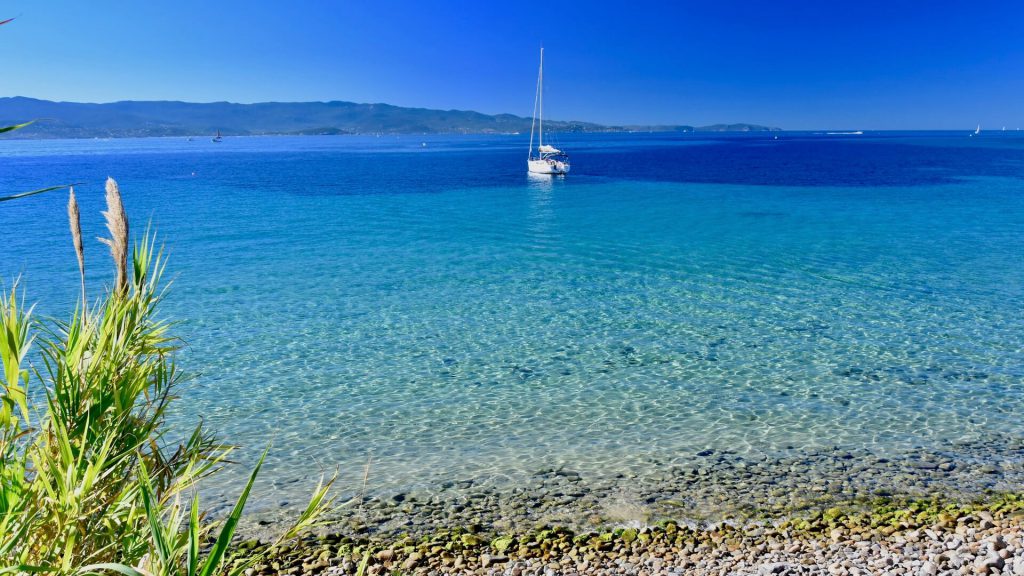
point(821, 64)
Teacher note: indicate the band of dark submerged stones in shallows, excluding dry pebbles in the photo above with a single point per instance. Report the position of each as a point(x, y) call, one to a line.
point(704, 489)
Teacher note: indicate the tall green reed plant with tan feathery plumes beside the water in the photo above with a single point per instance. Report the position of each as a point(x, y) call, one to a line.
point(91, 479)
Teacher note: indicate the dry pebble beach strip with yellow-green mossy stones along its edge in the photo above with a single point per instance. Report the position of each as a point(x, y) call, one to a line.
point(926, 538)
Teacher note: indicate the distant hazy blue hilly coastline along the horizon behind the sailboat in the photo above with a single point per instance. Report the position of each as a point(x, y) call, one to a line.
point(161, 118)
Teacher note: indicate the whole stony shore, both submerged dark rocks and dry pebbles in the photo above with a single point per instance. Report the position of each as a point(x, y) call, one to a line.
point(824, 512)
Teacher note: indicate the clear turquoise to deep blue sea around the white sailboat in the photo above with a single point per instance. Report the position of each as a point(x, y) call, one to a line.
point(436, 308)
